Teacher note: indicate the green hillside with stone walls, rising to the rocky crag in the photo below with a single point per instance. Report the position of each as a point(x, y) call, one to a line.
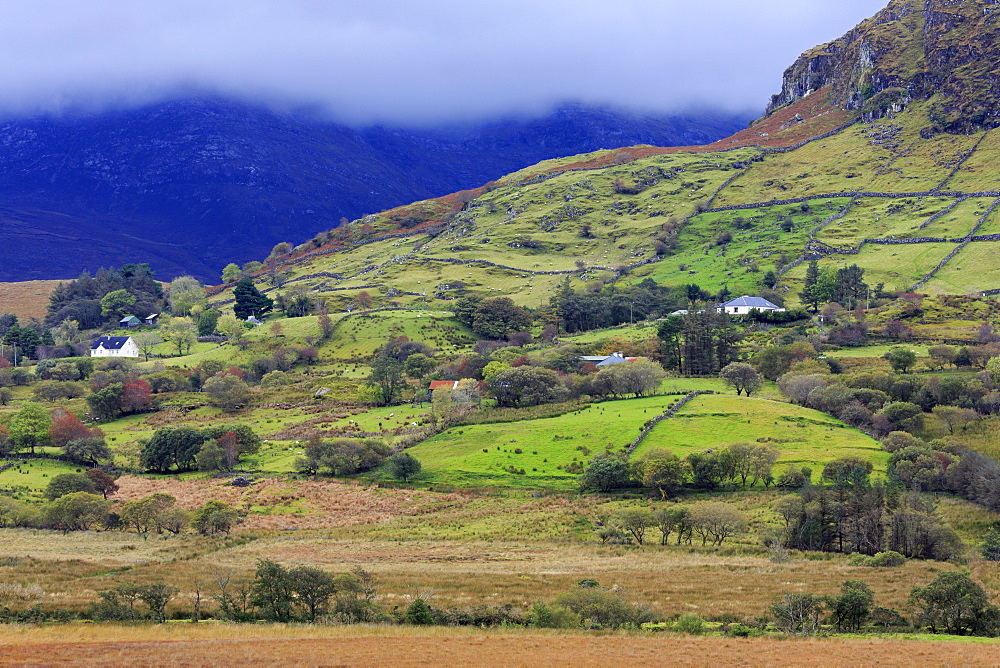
point(820, 176)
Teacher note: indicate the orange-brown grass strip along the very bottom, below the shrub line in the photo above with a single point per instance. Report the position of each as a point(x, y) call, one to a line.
point(186, 644)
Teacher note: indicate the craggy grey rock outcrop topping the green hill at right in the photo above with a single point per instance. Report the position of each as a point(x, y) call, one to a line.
point(939, 50)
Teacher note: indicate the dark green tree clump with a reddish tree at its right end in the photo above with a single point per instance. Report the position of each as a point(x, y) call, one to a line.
point(184, 448)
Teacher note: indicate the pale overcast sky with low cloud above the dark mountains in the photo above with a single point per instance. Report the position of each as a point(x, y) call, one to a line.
point(410, 62)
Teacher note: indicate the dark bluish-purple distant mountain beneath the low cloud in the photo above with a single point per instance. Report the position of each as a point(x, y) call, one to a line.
point(191, 185)
